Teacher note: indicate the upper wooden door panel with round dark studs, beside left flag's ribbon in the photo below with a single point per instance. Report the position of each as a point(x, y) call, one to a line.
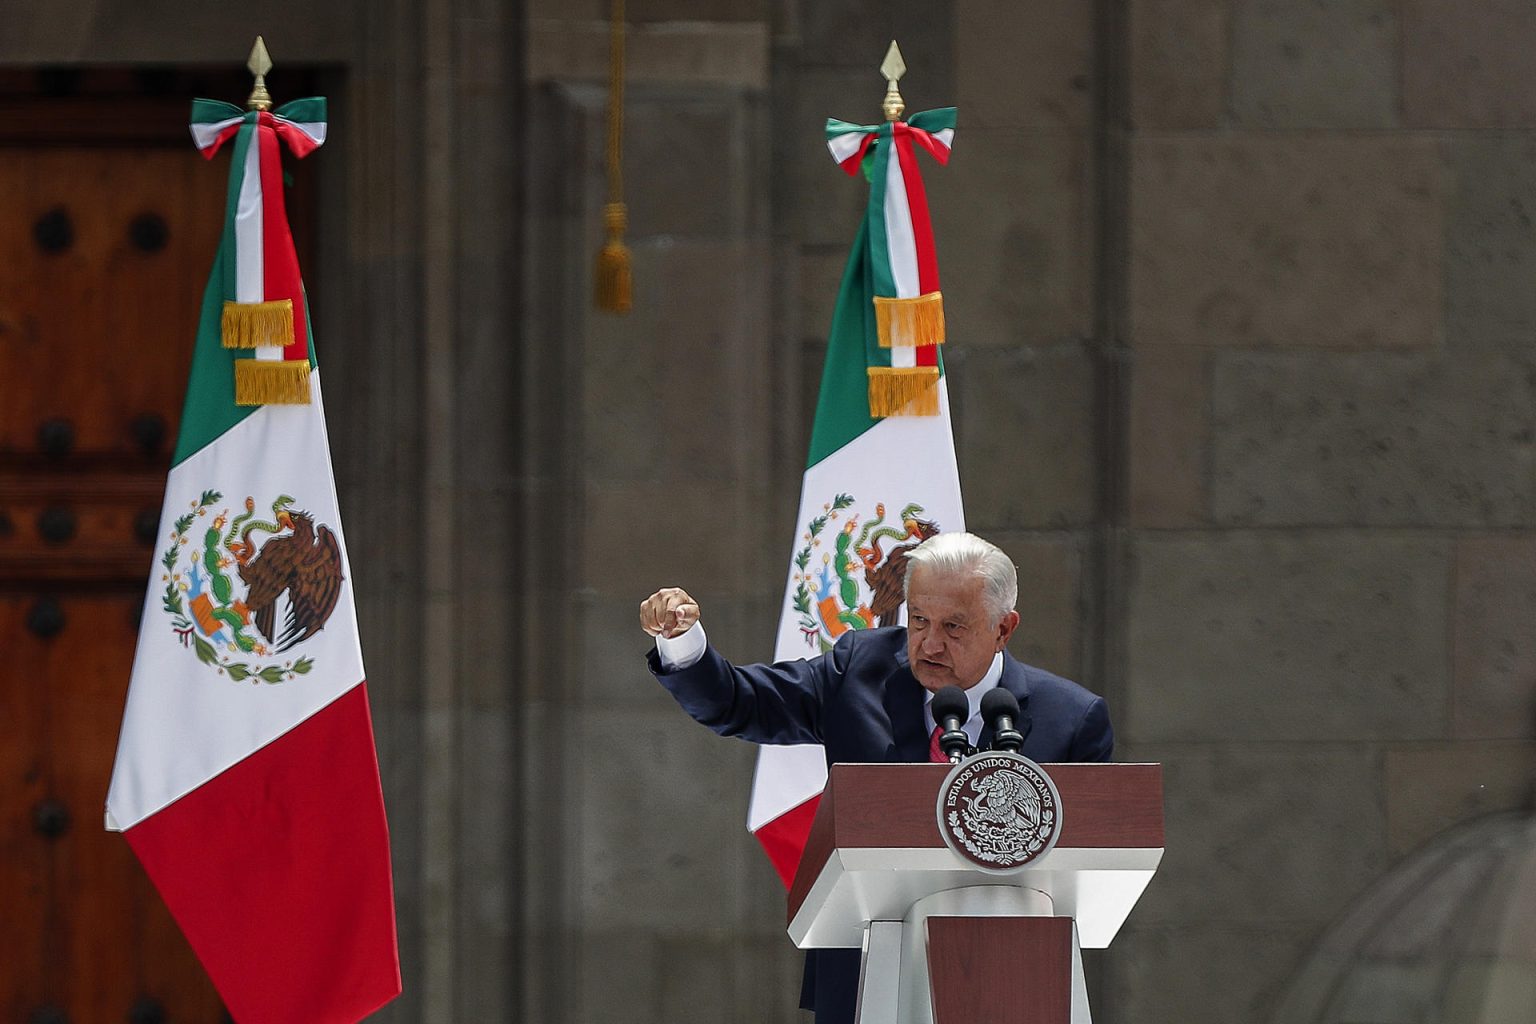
point(99, 303)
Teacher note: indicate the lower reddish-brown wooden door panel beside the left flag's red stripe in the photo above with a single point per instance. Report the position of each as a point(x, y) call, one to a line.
point(85, 931)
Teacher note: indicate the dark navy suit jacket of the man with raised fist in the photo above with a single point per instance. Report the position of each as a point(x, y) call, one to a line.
point(862, 704)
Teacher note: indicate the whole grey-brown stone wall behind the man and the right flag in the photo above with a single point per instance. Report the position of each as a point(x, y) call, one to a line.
point(1240, 326)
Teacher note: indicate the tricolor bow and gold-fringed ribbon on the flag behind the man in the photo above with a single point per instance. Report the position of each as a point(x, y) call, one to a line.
point(901, 266)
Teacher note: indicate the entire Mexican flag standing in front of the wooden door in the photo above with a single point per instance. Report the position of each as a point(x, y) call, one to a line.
point(247, 779)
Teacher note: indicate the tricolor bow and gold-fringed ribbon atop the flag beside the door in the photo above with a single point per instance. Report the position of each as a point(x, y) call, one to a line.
point(263, 311)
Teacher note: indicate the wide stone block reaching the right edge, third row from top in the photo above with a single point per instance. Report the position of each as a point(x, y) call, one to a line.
point(1368, 440)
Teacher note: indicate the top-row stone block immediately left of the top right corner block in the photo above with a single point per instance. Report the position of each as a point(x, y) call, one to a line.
point(1316, 65)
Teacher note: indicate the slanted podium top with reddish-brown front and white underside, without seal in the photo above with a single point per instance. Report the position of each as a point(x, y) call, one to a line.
point(875, 847)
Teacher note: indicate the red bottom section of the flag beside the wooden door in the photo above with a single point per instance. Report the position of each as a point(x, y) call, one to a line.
point(279, 874)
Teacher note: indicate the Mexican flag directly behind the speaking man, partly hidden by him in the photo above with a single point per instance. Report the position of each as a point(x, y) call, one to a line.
point(881, 477)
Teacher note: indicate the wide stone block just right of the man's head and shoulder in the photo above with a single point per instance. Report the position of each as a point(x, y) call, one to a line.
point(1280, 636)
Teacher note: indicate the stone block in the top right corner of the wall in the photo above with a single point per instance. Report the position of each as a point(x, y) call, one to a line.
point(1469, 65)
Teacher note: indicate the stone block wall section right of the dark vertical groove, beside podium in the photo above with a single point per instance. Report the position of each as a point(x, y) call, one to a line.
point(1329, 466)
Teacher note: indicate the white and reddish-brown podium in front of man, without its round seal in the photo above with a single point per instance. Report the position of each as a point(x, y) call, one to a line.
point(950, 943)
